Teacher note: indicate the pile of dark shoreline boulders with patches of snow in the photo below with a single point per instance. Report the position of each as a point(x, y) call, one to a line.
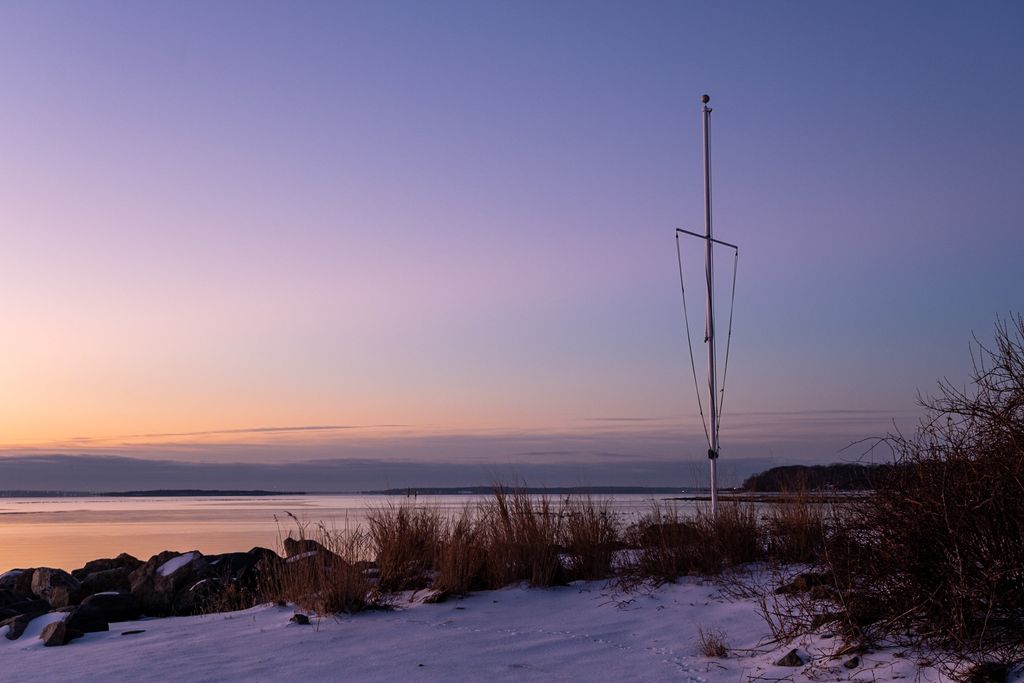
point(125, 588)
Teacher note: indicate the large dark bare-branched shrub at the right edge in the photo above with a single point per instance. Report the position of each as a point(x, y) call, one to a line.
point(937, 557)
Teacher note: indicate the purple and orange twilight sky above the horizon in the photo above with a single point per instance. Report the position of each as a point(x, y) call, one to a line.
point(438, 239)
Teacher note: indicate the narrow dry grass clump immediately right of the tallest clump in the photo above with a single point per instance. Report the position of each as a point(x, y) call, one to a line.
point(592, 537)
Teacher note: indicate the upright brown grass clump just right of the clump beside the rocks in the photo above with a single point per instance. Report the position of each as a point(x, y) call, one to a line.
point(406, 540)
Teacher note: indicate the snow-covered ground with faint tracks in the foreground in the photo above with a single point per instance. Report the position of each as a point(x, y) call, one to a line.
point(586, 632)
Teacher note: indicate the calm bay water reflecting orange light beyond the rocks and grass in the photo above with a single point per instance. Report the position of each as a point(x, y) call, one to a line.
point(67, 533)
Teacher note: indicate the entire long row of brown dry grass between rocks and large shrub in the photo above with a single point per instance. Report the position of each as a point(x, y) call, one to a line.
point(517, 537)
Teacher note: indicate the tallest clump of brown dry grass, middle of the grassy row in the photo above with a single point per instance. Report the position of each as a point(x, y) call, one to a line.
point(522, 535)
